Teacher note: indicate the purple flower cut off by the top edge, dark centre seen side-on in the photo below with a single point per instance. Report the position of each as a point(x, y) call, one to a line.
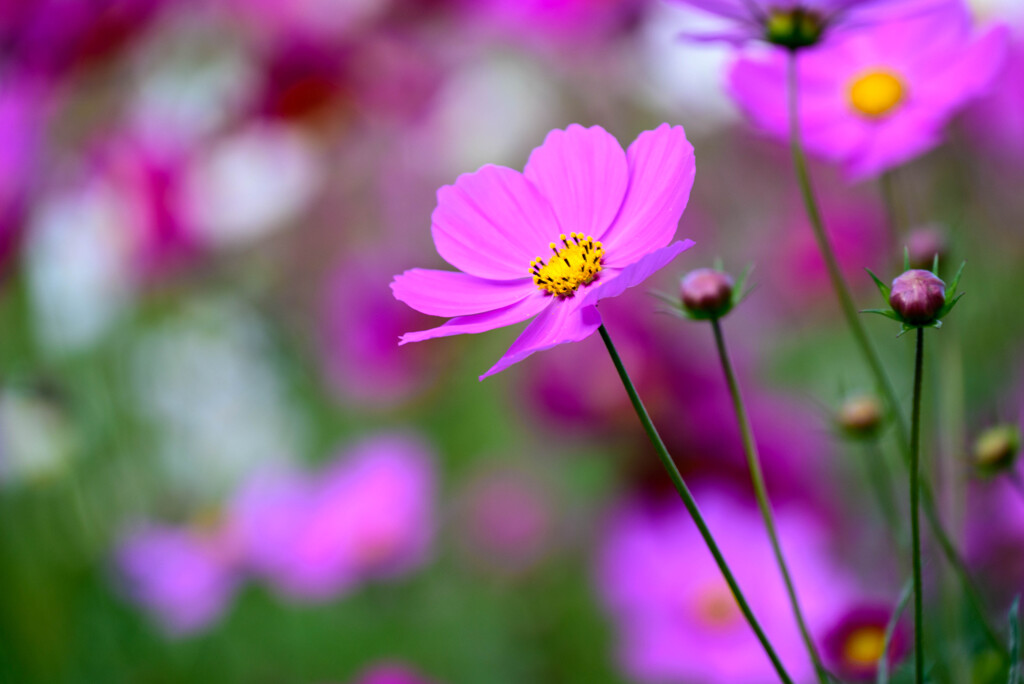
point(798, 24)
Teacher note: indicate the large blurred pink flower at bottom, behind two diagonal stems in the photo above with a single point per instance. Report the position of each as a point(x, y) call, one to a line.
point(677, 620)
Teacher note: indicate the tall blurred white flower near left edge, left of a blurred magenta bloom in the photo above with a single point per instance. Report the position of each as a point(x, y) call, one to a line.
point(78, 260)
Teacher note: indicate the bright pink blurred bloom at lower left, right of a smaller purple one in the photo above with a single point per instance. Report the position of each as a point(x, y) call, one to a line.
point(368, 517)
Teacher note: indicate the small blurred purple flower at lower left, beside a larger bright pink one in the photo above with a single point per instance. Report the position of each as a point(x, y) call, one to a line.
point(185, 577)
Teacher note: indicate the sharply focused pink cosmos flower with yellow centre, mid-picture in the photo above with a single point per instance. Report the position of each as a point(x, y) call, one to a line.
point(584, 222)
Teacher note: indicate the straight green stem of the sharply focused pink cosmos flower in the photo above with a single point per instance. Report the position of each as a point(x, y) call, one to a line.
point(692, 506)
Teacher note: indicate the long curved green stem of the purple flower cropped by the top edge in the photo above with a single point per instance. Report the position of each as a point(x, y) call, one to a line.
point(875, 364)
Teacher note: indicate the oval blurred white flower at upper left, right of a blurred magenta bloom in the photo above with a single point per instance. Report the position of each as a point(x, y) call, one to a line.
point(245, 187)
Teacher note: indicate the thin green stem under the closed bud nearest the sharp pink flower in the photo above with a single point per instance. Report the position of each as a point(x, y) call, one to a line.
point(761, 493)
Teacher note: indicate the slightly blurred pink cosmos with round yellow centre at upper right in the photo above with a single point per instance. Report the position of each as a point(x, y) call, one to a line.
point(879, 98)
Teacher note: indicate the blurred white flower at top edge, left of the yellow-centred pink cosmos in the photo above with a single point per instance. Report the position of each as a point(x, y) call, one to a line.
point(686, 79)
